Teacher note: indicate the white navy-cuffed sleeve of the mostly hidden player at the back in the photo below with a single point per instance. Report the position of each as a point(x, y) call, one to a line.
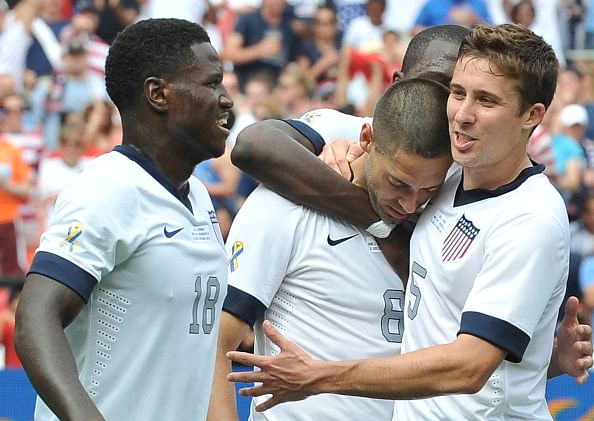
point(325, 125)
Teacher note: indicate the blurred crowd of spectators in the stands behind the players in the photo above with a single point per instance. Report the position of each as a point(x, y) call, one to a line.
point(281, 58)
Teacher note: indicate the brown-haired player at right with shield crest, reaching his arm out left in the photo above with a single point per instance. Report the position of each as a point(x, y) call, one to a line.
point(489, 260)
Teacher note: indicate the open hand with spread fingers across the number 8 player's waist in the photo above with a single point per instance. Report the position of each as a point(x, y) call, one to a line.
point(285, 376)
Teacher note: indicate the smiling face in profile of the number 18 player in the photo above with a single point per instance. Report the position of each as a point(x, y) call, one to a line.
point(199, 106)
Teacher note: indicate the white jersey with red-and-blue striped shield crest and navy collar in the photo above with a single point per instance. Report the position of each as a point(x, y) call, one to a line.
point(492, 264)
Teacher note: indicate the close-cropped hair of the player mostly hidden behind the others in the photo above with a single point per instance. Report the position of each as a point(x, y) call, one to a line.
point(416, 60)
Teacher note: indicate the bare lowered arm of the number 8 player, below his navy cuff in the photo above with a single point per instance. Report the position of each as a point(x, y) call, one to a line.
point(223, 406)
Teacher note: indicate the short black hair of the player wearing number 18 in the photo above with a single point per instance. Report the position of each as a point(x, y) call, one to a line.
point(151, 47)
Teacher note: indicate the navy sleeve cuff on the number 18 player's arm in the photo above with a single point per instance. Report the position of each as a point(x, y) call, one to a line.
point(65, 272)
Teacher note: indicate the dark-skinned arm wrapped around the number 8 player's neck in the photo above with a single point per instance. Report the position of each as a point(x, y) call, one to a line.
point(283, 158)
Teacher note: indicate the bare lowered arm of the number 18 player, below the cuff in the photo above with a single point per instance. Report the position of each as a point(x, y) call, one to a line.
point(45, 309)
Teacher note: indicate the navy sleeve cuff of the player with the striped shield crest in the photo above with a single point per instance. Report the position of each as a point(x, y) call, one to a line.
point(496, 331)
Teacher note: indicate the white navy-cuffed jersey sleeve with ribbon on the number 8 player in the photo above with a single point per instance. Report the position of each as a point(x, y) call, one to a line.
point(260, 245)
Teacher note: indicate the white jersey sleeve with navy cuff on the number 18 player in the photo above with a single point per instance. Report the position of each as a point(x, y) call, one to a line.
point(97, 224)
